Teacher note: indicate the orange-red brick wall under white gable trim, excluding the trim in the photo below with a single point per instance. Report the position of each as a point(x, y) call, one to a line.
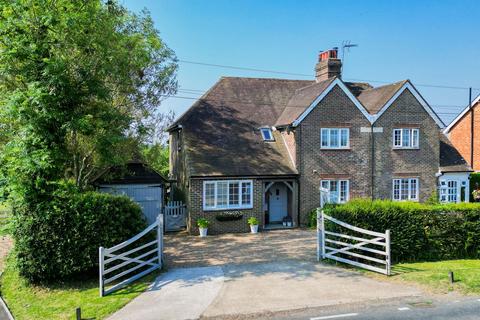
point(460, 136)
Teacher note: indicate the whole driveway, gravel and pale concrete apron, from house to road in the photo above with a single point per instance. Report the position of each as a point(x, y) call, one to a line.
point(243, 274)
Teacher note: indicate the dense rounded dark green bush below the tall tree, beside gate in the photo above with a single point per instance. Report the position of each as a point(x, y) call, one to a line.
point(61, 237)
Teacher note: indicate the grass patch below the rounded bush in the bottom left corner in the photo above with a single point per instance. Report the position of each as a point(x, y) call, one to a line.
point(60, 301)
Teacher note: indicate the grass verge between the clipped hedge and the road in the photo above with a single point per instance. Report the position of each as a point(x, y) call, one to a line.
point(435, 275)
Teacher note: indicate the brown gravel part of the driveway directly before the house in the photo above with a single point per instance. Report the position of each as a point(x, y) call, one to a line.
point(184, 250)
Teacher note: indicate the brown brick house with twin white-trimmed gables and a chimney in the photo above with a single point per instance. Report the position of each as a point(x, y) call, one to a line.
point(275, 148)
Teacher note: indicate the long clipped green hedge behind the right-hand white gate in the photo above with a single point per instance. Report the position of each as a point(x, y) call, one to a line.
point(419, 232)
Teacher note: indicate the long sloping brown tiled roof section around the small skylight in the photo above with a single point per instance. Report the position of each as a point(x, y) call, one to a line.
point(221, 130)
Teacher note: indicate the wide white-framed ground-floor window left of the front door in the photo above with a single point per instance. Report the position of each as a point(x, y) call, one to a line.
point(227, 194)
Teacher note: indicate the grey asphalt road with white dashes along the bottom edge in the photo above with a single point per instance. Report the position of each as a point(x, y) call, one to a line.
point(464, 309)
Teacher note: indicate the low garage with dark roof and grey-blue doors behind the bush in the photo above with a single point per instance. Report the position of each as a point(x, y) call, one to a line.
point(137, 181)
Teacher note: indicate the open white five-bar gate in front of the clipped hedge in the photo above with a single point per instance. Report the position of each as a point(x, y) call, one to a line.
point(329, 246)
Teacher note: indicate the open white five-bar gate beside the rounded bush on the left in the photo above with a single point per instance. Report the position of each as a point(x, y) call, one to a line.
point(151, 258)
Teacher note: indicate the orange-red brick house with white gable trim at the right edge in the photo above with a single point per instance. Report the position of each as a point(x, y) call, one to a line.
point(464, 133)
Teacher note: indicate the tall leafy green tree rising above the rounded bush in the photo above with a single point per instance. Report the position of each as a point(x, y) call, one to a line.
point(79, 83)
